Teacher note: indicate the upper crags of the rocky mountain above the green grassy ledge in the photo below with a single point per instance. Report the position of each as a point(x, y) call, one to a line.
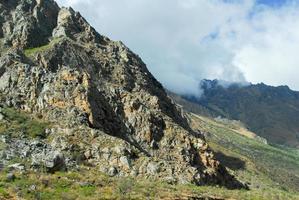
point(32, 23)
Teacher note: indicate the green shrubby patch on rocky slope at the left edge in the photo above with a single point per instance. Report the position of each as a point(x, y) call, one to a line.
point(17, 122)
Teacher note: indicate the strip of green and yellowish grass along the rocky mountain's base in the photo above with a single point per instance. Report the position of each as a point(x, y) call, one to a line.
point(63, 185)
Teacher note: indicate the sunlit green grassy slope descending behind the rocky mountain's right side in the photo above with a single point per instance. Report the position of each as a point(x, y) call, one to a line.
point(263, 166)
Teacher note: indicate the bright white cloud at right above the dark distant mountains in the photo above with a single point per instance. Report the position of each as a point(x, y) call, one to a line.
point(270, 52)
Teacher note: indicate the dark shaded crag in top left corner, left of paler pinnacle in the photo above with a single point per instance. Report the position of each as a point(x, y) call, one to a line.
point(27, 23)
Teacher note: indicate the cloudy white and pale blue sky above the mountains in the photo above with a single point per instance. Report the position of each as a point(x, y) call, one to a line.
point(185, 41)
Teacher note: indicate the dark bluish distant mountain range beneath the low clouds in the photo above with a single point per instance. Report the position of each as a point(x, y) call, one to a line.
point(271, 112)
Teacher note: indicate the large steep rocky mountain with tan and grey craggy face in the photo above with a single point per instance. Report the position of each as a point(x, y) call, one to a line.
point(101, 105)
